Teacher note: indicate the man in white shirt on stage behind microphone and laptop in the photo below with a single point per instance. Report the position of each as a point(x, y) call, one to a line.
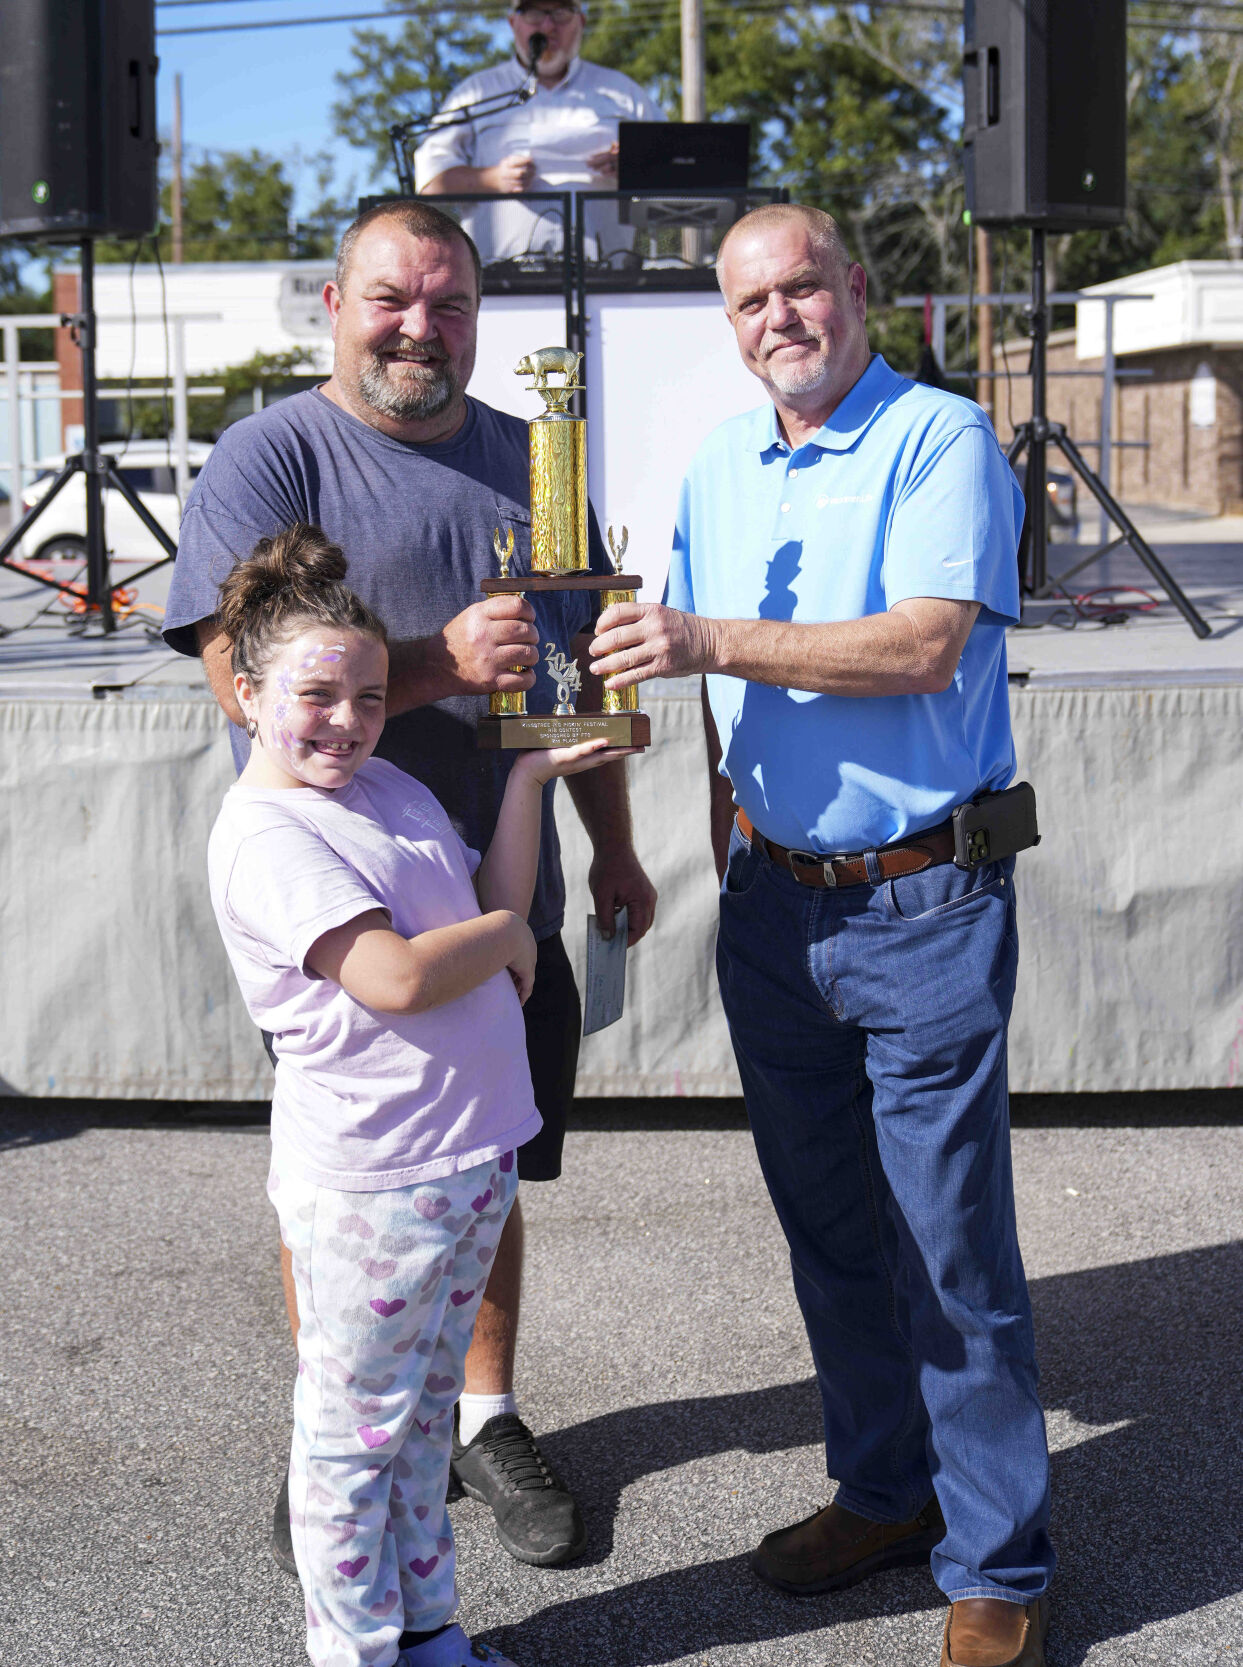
point(561, 139)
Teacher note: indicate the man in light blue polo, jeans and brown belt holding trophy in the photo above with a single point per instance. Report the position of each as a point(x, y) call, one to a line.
point(844, 571)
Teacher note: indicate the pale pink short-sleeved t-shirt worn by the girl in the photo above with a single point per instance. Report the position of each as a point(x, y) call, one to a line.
point(366, 1101)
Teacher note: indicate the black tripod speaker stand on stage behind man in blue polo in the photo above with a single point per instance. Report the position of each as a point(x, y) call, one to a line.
point(1036, 438)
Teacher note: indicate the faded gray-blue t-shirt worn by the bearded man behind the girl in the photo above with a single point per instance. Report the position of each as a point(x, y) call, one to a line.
point(416, 524)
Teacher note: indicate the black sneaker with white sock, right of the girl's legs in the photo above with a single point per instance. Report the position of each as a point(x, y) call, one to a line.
point(537, 1519)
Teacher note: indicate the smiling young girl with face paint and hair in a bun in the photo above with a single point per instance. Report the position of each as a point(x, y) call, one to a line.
point(392, 988)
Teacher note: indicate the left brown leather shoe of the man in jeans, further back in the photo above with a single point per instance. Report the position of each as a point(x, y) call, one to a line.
point(837, 1548)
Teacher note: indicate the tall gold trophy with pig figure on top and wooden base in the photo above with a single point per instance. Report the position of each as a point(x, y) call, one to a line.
point(559, 563)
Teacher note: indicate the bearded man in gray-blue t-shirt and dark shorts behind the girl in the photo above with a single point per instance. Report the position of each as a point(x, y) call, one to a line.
point(411, 478)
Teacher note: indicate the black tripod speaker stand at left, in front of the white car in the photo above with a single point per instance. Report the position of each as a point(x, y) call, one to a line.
point(96, 468)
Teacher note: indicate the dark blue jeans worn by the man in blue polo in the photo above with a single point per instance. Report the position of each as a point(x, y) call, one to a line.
point(871, 1033)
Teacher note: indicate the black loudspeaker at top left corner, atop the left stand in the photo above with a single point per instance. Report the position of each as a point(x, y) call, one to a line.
point(77, 119)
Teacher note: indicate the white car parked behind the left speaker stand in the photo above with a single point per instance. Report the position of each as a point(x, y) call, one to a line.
point(147, 468)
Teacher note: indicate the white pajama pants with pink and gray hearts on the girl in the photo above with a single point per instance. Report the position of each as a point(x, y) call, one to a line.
point(389, 1288)
